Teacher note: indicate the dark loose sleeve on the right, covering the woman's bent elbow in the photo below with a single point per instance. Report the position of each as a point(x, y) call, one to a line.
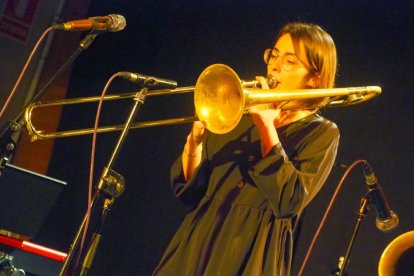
point(290, 184)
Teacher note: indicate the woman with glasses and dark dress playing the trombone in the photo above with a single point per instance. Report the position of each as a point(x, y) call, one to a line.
point(247, 188)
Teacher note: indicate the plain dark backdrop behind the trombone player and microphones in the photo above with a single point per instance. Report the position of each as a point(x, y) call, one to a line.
point(177, 40)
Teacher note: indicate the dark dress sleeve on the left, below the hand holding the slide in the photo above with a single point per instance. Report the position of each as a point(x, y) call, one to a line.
point(189, 192)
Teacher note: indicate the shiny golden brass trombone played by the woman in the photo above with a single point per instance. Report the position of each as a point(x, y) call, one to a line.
point(220, 100)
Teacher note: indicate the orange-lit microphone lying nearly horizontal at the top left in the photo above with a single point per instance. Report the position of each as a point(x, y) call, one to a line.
point(112, 23)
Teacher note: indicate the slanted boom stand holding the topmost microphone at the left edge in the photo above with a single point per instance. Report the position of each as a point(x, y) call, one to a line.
point(7, 141)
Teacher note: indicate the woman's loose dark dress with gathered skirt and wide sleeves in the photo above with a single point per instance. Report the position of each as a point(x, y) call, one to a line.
point(244, 207)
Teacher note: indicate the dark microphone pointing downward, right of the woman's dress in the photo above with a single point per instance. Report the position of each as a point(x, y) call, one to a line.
point(386, 219)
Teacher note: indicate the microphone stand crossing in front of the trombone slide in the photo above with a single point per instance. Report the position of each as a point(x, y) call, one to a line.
point(111, 185)
